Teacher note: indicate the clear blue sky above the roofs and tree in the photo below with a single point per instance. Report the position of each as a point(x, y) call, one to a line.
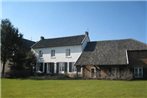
point(103, 20)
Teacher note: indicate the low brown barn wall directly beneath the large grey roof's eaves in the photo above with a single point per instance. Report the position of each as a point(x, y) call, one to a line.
point(110, 72)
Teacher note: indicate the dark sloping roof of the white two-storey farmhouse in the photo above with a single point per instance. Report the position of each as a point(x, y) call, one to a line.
point(62, 41)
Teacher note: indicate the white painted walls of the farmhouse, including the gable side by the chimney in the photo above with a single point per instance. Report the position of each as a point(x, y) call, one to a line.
point(60, 53)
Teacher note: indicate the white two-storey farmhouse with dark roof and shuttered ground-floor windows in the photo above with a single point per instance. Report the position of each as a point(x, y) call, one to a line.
point(58, 55)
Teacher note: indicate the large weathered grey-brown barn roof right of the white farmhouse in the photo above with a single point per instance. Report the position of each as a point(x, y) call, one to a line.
point(113, 52)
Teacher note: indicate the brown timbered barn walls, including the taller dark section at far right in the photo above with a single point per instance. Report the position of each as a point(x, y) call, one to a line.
point(126, 72)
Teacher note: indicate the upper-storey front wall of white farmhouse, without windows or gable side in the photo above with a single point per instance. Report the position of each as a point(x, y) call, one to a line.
point(60, 54)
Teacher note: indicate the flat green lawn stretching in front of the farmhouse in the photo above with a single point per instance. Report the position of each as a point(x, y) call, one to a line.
point(16, 88)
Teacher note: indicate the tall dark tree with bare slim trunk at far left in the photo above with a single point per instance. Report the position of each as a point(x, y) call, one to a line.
point(10, 40)
